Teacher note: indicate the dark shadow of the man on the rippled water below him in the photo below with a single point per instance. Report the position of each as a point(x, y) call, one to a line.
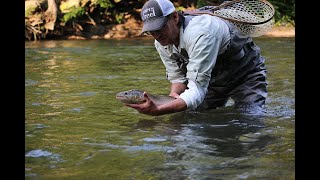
point(217, 134)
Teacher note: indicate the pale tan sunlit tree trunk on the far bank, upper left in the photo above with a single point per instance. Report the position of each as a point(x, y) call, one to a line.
point(50, 15)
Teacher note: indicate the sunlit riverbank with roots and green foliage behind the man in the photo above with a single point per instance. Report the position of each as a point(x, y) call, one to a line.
point(115, 19)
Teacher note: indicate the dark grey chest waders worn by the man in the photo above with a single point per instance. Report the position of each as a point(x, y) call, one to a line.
point(239, 73)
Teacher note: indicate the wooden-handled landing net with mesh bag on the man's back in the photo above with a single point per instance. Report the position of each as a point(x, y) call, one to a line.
point(252, 17)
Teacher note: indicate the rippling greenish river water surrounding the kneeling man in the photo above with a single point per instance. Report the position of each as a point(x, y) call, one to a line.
point(76, 129)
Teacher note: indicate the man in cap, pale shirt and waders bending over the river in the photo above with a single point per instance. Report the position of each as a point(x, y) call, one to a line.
point(207, 60)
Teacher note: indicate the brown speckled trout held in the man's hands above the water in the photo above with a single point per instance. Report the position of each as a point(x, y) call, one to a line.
point(135, 96)
